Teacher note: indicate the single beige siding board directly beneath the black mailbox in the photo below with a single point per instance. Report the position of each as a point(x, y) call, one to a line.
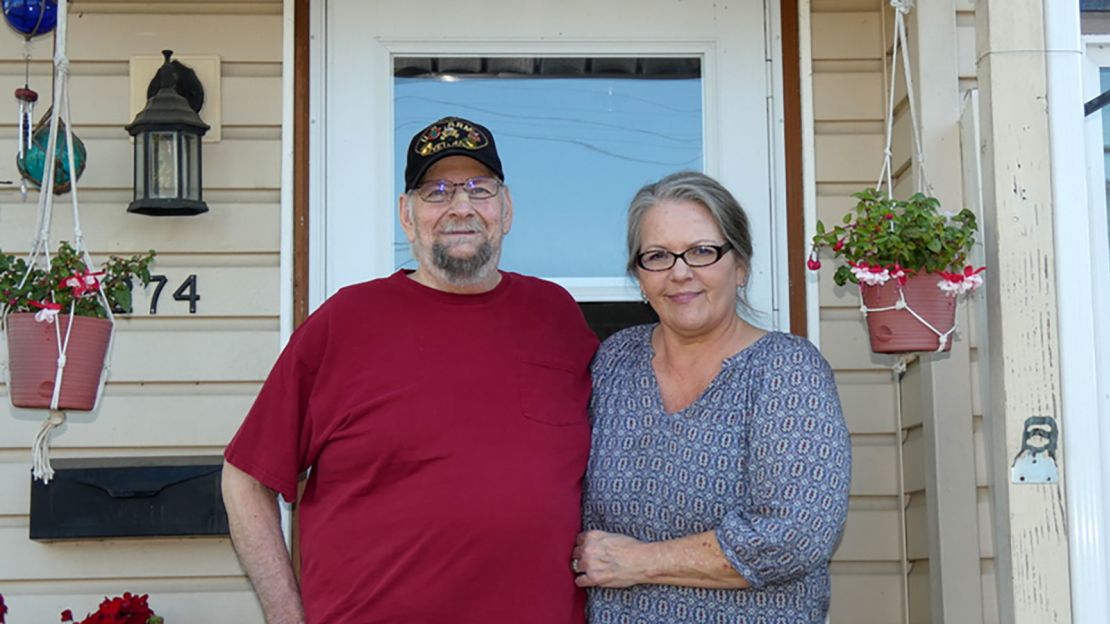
point(197, 557)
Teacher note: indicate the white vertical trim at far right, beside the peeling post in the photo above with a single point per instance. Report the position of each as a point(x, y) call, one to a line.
point(1087, 539)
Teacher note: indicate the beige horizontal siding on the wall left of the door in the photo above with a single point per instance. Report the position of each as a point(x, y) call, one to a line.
point(180, 383)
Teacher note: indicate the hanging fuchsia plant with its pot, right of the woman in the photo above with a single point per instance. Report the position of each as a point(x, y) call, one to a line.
point(911, 261)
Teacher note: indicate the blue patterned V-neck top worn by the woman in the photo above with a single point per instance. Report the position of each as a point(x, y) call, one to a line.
point(762, 457)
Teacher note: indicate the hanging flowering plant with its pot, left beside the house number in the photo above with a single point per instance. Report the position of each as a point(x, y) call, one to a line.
point(45, 308)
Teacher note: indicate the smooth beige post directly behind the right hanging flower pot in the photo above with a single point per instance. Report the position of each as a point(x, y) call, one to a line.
point(945, 392)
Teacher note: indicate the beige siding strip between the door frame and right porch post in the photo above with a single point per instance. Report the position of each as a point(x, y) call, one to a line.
point(849, 110)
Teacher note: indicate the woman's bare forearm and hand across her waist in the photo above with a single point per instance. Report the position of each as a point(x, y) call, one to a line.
point(609, 560)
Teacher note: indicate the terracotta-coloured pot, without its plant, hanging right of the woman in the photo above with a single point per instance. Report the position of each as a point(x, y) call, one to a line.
point(899, 331)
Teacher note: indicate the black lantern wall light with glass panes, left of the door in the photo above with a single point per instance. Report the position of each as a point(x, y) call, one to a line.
point(168, 145)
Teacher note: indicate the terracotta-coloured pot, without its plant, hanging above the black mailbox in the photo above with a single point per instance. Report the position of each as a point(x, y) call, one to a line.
point(33, 361)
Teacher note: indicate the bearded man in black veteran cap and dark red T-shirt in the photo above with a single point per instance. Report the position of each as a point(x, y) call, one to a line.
point(443, 416)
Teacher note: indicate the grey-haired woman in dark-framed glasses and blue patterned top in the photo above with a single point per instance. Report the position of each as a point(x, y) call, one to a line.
point(718, 485)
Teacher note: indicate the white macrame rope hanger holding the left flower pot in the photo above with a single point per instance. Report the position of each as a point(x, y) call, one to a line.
point(41, 253)
